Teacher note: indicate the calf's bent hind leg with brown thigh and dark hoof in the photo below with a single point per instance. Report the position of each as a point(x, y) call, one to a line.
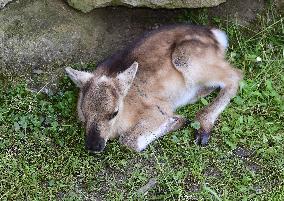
point(205, 68)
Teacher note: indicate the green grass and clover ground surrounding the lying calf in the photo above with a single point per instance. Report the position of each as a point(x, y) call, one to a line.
point(42, 155)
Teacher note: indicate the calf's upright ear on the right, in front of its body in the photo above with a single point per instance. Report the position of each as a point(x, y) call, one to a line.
point(126, 78)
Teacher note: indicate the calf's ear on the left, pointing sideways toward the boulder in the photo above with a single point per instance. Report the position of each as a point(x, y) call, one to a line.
point(78, 77)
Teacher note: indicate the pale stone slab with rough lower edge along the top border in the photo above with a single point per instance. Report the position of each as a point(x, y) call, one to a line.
point(88, 5)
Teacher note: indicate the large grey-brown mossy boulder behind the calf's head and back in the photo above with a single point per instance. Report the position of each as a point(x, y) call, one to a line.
point(44, 36)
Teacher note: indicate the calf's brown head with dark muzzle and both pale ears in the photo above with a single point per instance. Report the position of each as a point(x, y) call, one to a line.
point(100, 103)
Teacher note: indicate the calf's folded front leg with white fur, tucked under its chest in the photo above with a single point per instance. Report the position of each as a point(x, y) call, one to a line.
point(145, 132)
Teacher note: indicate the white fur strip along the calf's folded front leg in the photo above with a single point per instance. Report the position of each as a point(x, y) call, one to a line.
point(147, 138)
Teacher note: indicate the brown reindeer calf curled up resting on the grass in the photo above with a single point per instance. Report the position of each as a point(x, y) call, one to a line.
point(134, 93)
